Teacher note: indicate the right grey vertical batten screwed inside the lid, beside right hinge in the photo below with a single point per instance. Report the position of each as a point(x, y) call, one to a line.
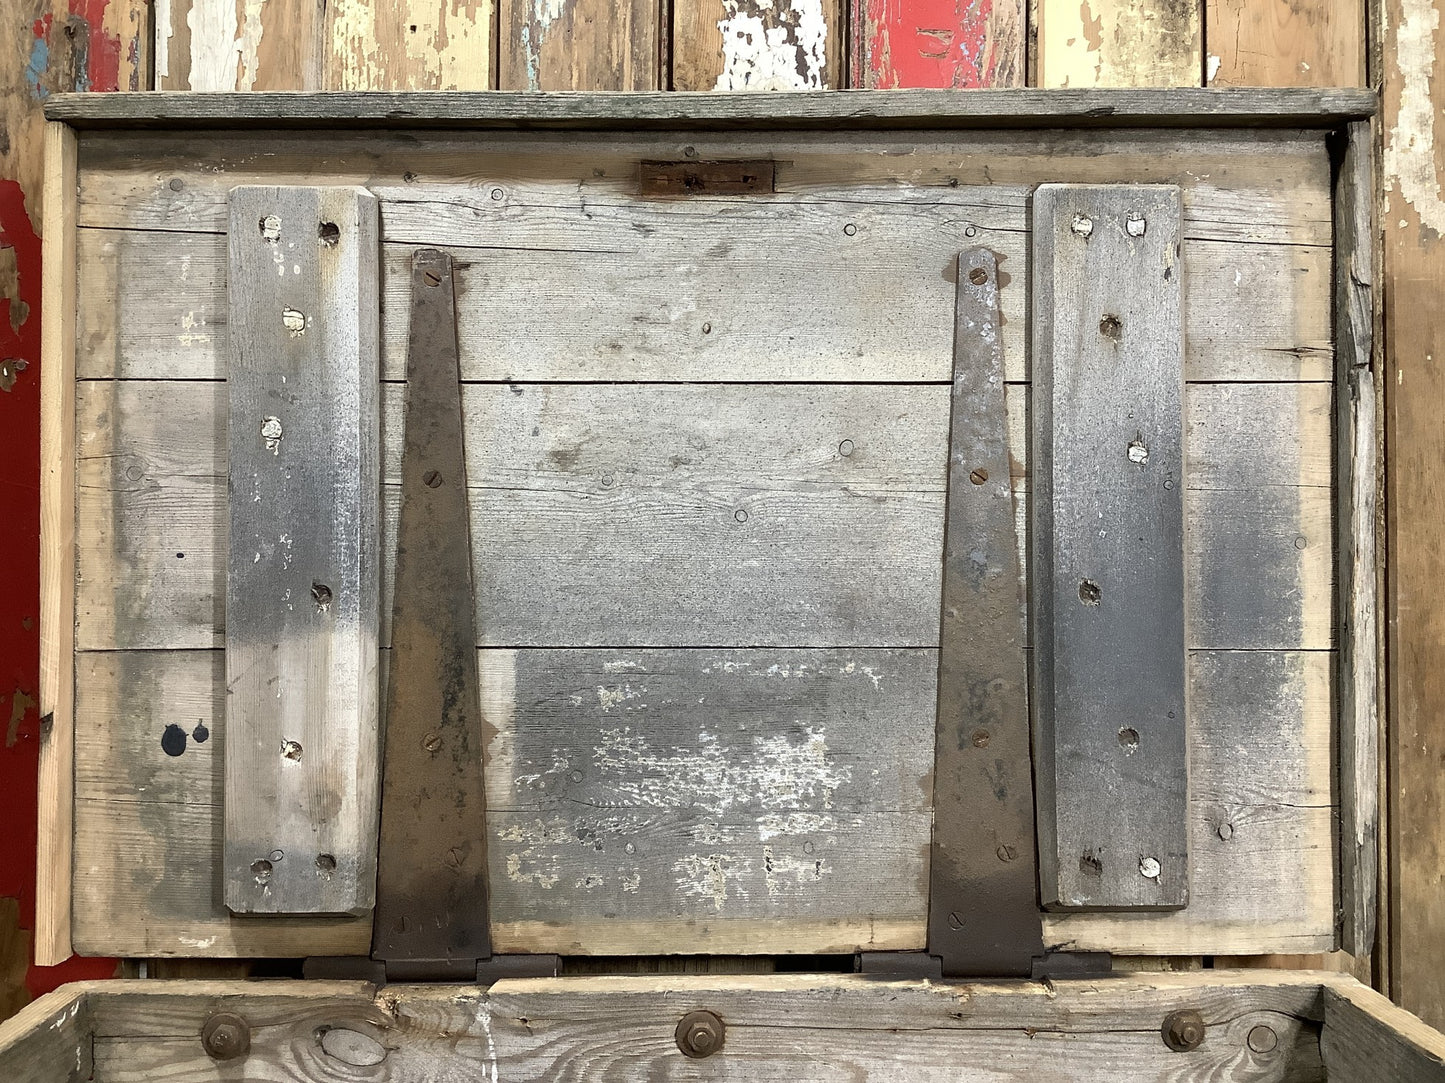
point(1109, 570)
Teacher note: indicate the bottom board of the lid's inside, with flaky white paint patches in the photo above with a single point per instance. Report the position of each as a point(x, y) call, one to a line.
point(150, 822)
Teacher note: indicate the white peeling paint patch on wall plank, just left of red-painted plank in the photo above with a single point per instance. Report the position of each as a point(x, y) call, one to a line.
point(774, 47)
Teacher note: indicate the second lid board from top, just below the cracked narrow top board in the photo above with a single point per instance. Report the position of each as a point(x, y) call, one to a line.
point(1254, 312)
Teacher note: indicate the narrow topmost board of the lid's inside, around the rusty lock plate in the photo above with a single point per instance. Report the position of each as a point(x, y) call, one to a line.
point(1268, 186)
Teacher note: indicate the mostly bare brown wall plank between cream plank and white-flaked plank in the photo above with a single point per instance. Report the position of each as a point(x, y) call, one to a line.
point(580, 46)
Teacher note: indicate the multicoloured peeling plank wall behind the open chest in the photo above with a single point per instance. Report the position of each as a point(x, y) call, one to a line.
point(758, 46)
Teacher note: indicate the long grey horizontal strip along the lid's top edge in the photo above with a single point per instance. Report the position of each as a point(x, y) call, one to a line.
point(1187, 108)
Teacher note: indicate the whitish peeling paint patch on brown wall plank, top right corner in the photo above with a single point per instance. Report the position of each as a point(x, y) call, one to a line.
point(1410, 147)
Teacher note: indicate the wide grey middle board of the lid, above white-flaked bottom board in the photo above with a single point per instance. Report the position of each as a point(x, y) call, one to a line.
point(755, 491)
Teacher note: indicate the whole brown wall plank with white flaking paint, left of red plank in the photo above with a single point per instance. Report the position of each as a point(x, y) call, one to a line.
point(749, 46)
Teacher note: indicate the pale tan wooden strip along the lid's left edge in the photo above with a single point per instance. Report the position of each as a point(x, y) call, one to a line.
point(57, 773)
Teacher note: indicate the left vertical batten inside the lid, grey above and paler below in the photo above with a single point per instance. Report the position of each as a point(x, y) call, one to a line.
point(303, 576)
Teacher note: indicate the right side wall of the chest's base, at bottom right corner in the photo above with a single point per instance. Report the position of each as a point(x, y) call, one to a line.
point(1366, 1037)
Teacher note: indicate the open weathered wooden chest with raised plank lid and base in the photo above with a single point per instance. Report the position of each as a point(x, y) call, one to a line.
point(716, 404)
